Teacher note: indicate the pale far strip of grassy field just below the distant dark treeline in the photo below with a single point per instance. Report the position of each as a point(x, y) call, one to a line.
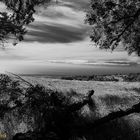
point(101, 88)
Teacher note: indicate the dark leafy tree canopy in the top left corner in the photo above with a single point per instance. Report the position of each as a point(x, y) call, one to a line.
point(19, 14)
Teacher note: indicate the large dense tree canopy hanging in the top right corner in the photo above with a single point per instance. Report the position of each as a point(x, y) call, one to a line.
point(115, 22)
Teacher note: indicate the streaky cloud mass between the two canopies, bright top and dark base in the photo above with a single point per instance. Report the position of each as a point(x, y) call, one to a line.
point(58, 24)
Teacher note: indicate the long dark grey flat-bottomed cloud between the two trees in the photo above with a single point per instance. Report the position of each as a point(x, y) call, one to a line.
point(56, 33)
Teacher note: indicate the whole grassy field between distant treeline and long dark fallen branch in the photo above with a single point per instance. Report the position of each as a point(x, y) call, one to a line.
point(108, 97)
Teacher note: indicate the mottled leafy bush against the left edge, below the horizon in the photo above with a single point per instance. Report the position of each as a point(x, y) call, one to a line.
point(10, 92)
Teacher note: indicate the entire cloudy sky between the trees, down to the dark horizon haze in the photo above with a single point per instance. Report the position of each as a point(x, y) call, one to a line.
point(59, 37)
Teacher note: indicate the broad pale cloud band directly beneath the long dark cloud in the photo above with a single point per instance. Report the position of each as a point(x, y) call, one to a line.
point(80, 50)
